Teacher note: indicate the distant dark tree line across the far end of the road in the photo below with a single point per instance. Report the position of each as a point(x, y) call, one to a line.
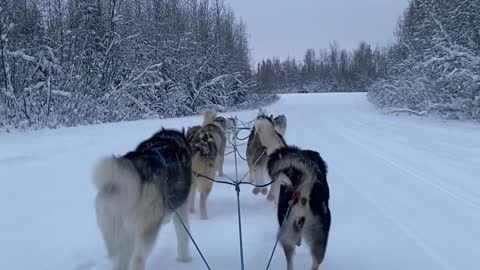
point(324, 70)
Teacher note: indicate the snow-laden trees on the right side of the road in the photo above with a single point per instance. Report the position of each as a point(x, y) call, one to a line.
point(434, 64)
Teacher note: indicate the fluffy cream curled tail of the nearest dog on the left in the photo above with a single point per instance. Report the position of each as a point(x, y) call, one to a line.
point(118, 183)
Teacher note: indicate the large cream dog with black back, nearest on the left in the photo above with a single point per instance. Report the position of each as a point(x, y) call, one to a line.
point(140, 191)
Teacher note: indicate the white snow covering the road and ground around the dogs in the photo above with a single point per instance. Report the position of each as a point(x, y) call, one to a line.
point(404, 193)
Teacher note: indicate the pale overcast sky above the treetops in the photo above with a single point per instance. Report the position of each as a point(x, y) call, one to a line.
point(288, 27)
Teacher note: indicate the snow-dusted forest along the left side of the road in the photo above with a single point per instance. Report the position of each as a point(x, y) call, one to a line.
point(77, 62)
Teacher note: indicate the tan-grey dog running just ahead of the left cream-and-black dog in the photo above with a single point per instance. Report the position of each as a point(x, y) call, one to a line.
point(208, 145)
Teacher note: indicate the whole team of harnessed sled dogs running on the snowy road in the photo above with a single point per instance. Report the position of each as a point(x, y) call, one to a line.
point(158, 181)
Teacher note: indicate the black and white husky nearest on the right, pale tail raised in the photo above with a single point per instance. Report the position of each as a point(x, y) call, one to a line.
point(304, 189)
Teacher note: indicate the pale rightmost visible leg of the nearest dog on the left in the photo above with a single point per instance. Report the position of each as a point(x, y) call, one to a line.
point(183, 252)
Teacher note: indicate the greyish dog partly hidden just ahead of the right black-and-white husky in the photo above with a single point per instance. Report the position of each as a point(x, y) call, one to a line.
point(257, 157)
